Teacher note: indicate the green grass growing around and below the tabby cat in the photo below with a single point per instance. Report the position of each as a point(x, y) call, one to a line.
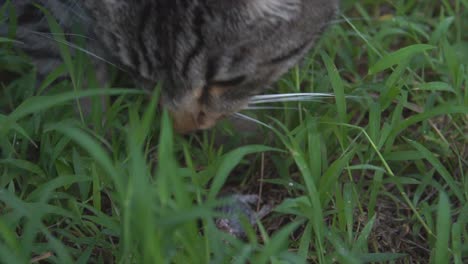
point(378, 174)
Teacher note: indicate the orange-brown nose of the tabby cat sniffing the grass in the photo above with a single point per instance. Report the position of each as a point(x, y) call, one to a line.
point(186, 122)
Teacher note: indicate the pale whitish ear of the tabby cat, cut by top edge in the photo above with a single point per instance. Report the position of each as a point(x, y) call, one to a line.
point(273, 9)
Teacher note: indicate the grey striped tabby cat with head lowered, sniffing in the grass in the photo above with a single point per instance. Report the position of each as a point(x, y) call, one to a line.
point(210, 55)
